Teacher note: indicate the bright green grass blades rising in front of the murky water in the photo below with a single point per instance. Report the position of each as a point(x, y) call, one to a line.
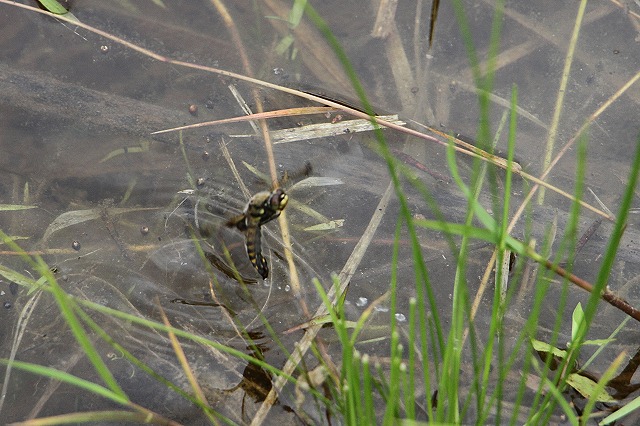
point(422, 380)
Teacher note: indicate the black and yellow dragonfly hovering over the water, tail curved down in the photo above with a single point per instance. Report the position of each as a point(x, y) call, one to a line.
point(262, 208)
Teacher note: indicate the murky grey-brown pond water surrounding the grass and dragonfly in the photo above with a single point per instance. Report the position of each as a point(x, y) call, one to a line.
point(77, 112)
